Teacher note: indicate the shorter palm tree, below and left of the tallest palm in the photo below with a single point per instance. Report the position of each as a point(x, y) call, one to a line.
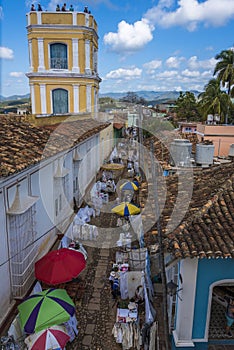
point(213, 100)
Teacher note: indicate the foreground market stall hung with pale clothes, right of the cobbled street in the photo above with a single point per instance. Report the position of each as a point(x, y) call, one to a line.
point(135, 314)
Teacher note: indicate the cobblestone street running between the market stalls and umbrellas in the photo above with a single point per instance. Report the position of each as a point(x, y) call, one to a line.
point(95, 308)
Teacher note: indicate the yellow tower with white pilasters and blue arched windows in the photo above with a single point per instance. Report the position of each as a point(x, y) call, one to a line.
point(63, 52)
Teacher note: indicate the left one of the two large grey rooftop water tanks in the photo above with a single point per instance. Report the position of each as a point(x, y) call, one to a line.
point(180, 152)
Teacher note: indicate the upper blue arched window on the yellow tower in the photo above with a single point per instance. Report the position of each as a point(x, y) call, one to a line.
point(58, 56)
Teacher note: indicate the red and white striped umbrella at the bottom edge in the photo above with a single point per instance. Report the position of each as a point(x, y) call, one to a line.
point(55, 337)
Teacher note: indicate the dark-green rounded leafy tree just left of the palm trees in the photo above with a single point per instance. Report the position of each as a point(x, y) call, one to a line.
point(186, 107)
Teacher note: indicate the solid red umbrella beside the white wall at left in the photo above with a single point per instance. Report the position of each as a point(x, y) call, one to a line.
point(59, 266)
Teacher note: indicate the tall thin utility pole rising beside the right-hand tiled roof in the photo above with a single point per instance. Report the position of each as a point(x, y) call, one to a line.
point(161, 252)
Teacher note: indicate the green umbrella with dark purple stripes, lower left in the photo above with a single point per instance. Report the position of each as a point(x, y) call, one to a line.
point(45, 309)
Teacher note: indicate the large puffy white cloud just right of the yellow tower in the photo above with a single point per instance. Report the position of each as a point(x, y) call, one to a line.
point(129, 37)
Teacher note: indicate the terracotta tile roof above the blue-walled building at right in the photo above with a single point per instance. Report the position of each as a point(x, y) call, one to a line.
point(207, 226)
